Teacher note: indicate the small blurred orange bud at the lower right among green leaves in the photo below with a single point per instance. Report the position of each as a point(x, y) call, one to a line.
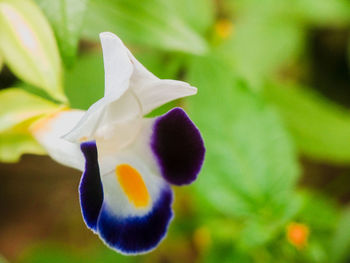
point(298, 234)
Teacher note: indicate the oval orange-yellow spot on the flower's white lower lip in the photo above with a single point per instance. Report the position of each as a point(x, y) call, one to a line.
point(133, 185)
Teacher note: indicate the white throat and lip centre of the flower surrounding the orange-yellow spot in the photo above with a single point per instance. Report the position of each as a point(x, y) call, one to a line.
point(138, 155)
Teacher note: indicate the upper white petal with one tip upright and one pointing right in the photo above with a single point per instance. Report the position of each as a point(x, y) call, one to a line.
point(151, 91)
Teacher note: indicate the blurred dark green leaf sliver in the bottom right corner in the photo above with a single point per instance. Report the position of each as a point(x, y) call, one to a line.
point(340, 248)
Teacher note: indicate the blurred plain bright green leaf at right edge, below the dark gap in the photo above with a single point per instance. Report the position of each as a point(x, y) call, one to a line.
point(320, 128)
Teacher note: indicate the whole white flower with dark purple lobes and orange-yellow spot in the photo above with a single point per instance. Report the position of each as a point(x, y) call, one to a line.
point(129, 160)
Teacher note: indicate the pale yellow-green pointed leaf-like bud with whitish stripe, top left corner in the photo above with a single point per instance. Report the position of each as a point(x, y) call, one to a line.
point(28, 46)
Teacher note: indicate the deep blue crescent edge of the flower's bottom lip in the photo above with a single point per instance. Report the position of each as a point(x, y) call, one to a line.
point(136, 234)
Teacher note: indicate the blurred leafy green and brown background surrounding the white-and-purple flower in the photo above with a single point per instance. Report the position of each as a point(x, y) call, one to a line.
point(273, 105)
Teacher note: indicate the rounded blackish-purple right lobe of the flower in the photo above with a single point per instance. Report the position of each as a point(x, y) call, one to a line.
point(178, 147)
